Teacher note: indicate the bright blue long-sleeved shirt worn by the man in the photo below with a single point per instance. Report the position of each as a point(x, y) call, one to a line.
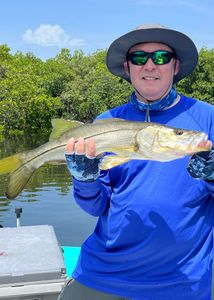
point(153, 239)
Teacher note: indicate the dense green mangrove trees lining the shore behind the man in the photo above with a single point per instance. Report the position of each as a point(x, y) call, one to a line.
point(74, 86)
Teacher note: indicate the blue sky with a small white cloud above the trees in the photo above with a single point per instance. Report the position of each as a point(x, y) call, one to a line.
point(44, 27)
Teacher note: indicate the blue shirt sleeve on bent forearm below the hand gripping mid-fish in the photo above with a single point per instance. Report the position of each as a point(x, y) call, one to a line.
point(93, 197)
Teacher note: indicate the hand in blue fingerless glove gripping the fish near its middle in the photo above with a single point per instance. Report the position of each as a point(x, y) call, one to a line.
point(81, 159)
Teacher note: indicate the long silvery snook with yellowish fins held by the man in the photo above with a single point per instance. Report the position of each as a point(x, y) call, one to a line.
point(122, 140)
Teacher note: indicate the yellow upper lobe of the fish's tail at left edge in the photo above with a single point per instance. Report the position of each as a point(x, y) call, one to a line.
point(10, 164)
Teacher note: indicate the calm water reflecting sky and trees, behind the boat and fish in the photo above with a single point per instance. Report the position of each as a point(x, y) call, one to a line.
point(47, 199)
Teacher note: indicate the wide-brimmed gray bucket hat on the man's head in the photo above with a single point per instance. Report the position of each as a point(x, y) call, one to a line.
point(181, 44)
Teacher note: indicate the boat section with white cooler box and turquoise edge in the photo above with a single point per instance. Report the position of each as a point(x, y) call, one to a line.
point(34, 266)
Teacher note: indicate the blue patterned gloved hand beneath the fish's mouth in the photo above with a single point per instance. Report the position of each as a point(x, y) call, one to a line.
point(201, 165)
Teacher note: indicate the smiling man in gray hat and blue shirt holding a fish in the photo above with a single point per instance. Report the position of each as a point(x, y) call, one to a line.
point(153, 239)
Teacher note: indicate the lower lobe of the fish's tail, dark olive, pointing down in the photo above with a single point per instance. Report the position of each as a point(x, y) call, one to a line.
point(18, 179)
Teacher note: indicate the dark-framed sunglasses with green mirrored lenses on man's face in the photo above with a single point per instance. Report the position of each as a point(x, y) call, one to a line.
point(159, 57)
